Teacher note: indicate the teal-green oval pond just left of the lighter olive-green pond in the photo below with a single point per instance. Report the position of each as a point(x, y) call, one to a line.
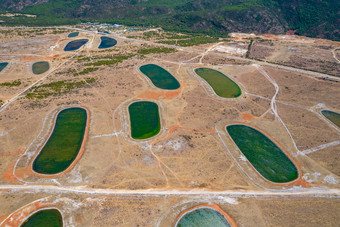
point(160, 77)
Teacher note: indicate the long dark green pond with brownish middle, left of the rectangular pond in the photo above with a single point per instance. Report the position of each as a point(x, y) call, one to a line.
point(64, 144)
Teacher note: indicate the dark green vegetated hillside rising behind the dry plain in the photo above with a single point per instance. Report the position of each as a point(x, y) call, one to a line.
point(319, 18)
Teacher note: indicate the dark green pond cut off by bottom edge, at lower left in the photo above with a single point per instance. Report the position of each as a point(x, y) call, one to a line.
point(44, 218)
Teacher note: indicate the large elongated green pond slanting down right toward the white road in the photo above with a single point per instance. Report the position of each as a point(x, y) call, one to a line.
point(265, 156)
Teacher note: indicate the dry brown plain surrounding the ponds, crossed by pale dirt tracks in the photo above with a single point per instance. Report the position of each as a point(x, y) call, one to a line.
point(286, 82)
